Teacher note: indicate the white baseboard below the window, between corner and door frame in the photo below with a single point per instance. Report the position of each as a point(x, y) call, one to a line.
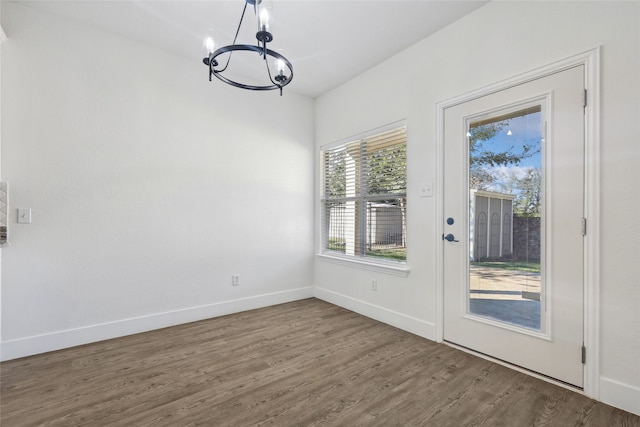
point(402, 321)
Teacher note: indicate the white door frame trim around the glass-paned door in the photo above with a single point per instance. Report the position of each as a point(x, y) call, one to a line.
point(591, 316)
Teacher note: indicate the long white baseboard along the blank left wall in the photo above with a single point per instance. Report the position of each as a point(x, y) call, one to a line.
point(29, 346)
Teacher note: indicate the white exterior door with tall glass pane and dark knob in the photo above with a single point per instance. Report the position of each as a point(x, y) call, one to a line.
point(513, 232)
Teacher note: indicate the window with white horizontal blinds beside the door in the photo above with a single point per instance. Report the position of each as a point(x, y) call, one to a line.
point(364, 201)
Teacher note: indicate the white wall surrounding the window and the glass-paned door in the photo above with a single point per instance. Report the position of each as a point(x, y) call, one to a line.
point(499, 41)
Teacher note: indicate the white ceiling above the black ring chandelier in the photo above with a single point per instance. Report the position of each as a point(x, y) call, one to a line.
point(328, 41)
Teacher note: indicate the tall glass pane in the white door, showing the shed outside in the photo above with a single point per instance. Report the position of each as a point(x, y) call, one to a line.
point(505, 217)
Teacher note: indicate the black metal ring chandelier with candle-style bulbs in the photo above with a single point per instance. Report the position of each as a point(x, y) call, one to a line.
point(283, 68)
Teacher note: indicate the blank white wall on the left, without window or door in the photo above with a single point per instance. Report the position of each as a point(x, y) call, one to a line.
point(149, 187)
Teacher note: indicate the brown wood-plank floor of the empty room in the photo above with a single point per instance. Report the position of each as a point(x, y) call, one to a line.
point(299, 364)
